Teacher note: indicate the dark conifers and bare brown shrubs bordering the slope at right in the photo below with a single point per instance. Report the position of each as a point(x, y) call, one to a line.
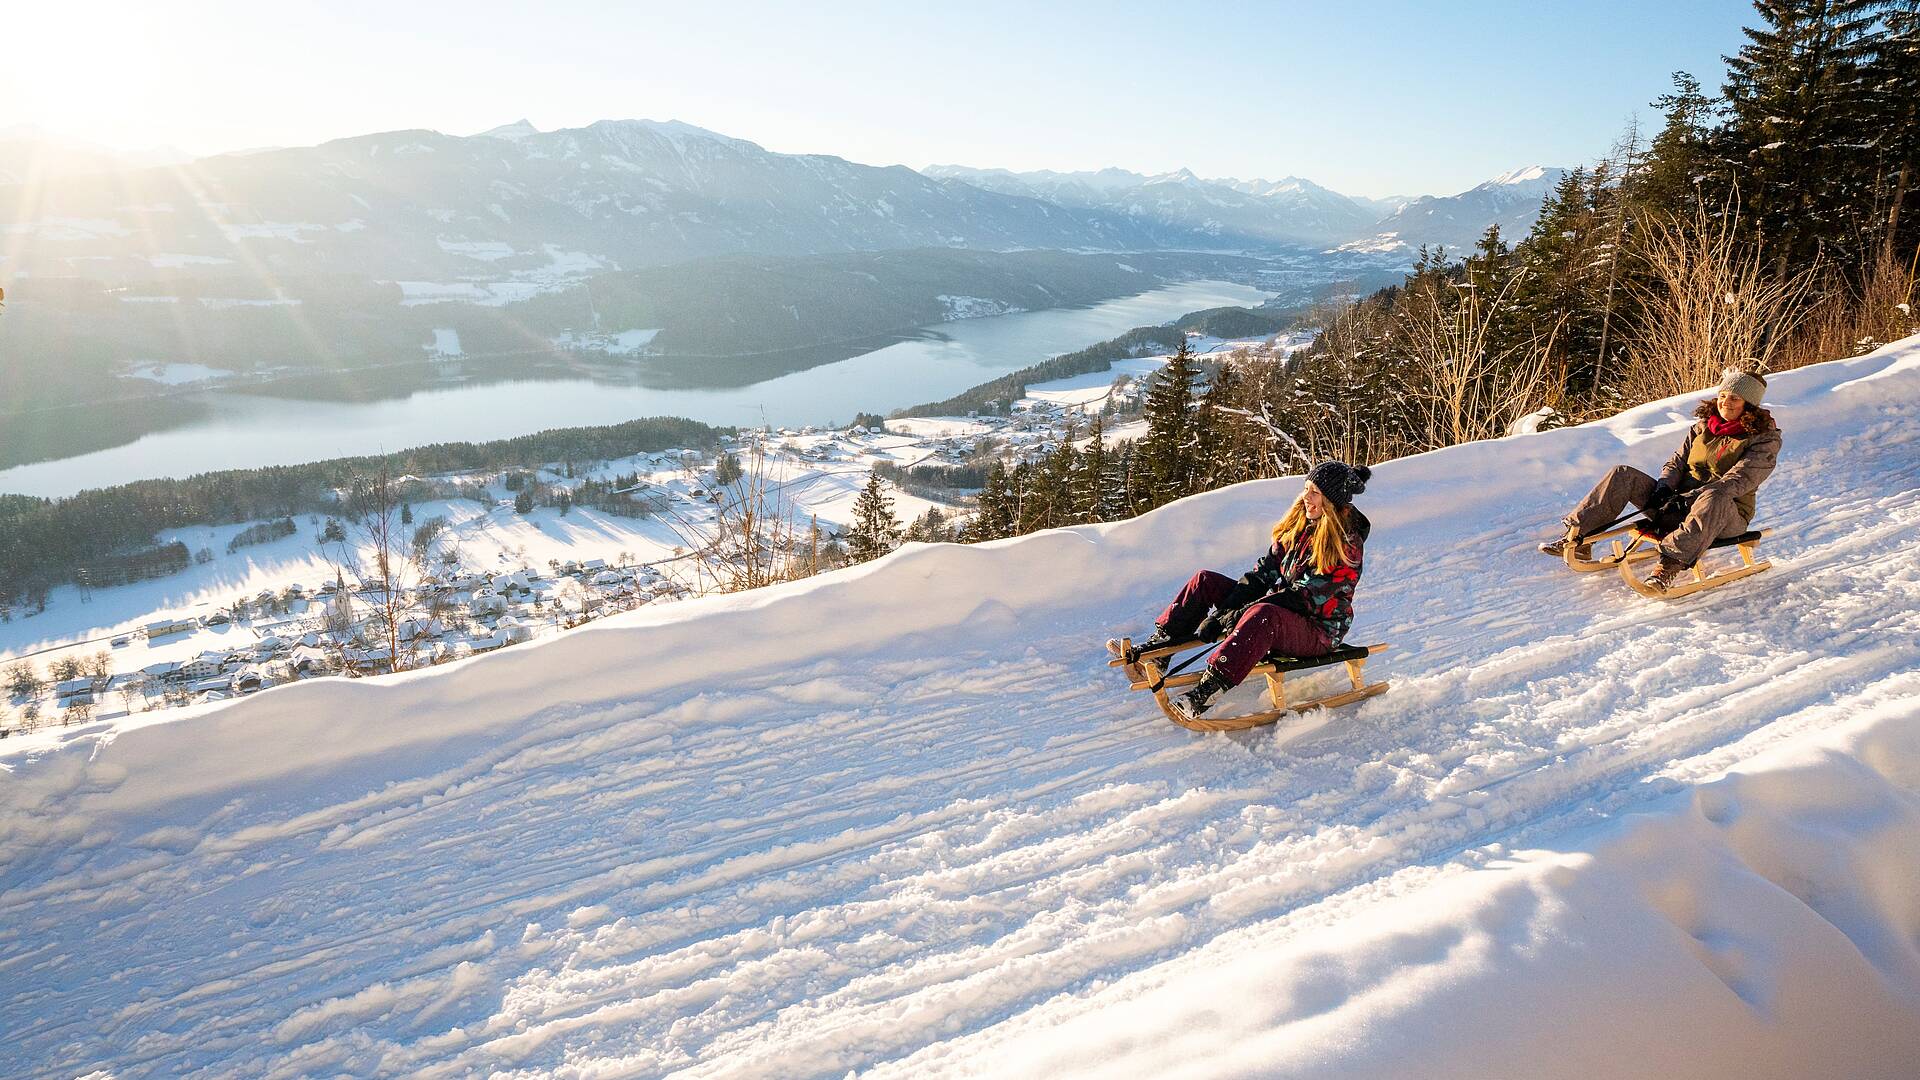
point(1762, 228)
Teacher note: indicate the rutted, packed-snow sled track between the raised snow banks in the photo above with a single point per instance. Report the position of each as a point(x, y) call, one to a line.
point(811, 871)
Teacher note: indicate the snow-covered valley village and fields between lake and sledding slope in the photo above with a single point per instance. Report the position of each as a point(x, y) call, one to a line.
point(268, 604)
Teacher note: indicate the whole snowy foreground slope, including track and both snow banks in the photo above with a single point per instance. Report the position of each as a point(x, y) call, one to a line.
point(903, 820)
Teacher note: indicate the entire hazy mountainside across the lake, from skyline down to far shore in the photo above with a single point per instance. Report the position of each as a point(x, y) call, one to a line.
point(364, 253)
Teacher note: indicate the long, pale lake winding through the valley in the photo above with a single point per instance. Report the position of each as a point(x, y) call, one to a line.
point(216, 430)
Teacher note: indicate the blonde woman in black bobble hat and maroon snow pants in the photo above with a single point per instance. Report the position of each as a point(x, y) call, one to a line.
point(1297, 601)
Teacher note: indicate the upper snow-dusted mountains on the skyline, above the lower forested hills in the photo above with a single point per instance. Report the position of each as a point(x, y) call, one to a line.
point(523, 205)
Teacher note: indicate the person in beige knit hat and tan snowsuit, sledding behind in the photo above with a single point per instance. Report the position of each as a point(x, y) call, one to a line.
point(1706, 491)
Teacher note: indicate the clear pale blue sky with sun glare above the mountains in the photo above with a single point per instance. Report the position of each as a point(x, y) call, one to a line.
point(1368, 99)
